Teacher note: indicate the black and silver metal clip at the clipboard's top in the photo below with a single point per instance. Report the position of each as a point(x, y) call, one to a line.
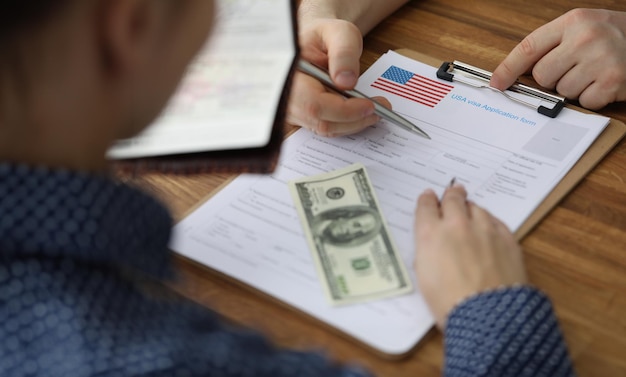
point(479, 78)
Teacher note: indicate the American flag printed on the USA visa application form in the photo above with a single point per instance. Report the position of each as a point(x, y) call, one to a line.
point(412, 86)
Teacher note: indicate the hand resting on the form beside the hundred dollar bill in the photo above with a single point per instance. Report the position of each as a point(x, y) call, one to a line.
point(461, 250)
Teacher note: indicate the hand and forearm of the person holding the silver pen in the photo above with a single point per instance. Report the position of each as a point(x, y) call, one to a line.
point(331, 37)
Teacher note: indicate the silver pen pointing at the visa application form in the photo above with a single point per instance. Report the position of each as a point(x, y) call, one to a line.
point(380, 110)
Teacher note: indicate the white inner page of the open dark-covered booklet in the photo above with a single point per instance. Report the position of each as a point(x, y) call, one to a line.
point(229, 96)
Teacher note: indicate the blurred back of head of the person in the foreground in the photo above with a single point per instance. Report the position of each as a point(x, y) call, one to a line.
point(75, 75)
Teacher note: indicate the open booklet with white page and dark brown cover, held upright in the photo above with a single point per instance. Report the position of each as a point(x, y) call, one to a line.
point(254, 145)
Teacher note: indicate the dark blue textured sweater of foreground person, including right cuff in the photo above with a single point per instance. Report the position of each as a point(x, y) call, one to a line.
point(72, 246)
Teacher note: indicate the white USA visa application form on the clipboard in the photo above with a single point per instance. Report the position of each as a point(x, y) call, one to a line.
point(508, 156)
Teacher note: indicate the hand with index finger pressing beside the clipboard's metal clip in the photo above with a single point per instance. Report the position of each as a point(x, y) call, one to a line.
point(581, 55)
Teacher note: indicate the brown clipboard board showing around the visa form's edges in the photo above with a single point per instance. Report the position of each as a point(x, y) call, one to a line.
point(612, 134)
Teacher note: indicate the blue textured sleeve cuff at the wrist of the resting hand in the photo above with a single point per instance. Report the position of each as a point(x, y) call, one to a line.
point(508, 332)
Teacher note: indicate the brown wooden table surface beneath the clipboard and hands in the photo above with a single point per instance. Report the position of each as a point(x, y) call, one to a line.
point(576, 254)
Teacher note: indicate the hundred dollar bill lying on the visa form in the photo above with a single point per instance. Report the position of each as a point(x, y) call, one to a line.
point(354, 254)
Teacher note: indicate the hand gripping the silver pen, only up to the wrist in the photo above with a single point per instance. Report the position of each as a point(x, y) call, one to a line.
point(335, 45)
